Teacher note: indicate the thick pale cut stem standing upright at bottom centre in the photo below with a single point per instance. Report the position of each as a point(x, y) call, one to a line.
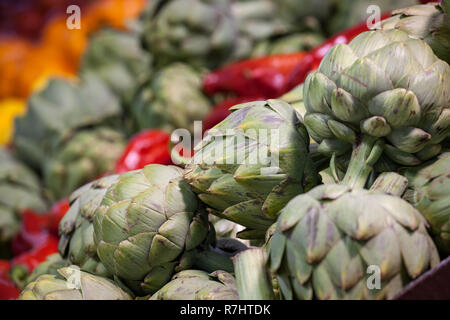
point(252, 277)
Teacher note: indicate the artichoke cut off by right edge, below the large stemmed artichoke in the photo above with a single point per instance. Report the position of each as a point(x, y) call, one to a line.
point(429, 192)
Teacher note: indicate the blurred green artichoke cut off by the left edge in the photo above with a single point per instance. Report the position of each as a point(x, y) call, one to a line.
point(19, 189)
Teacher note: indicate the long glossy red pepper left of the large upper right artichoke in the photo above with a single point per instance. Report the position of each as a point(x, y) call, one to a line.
point(265, 76)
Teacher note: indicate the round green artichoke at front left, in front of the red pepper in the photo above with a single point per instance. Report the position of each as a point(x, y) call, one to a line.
point(148, 227)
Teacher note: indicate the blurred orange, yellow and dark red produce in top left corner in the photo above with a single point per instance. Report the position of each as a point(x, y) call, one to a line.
point(35, 44)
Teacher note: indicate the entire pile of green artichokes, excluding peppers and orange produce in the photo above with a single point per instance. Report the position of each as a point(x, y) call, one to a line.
point(301, 197)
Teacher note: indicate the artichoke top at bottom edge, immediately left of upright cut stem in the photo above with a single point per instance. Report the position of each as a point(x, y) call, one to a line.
point(198, 285)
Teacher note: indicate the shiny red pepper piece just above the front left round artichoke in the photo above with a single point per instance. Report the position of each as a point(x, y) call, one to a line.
point(149, 146)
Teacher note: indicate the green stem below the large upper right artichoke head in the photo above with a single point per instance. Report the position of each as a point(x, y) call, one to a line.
point(365, 154)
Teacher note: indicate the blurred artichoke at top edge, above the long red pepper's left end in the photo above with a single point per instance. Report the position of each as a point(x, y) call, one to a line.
point(199, 32)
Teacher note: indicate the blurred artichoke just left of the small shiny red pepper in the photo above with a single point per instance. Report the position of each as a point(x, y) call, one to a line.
point(86, 156)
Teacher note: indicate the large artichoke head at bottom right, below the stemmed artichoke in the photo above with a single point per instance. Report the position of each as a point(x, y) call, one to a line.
point(338, 243)
